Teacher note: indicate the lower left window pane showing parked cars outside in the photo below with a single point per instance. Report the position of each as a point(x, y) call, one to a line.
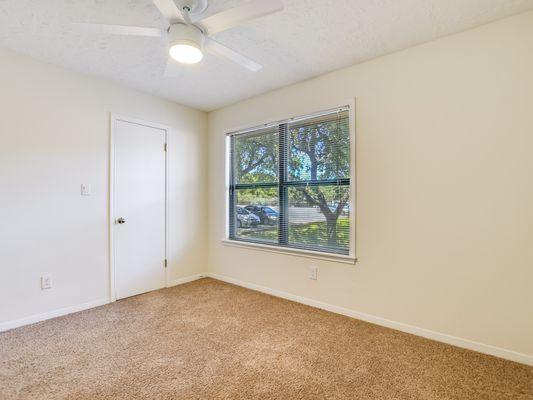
point(256, 214)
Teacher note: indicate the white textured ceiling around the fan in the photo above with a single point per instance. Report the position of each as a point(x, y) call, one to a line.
point(309, 38)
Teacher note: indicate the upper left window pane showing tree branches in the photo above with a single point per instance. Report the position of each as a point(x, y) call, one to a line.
point(256, 157)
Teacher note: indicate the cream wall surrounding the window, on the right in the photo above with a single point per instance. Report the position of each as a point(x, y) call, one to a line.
point(445, 188)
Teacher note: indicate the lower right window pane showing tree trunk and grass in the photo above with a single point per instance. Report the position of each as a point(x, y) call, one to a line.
point(319, 218)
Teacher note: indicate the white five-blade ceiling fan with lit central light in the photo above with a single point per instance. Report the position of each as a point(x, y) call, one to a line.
point(189, 34)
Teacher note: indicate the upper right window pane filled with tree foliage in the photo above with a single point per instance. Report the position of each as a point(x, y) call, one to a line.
point(319, 148)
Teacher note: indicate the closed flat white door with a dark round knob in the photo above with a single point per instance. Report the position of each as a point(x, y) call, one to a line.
point(139, 208)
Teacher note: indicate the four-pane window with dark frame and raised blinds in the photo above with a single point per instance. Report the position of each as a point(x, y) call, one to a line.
point(290, 183)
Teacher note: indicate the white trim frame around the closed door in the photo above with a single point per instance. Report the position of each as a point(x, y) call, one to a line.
point(111, 222)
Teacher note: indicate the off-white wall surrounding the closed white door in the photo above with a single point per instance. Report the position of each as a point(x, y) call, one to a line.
point(54, 135)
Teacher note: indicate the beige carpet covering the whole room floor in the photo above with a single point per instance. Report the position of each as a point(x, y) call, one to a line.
point(211, 340)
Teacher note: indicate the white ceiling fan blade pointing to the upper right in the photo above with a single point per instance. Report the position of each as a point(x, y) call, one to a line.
point(238, 15)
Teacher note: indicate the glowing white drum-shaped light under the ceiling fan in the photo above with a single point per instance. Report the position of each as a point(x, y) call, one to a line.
point(185, 43)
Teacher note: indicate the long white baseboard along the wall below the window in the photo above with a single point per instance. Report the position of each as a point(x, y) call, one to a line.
point(426, 333)
